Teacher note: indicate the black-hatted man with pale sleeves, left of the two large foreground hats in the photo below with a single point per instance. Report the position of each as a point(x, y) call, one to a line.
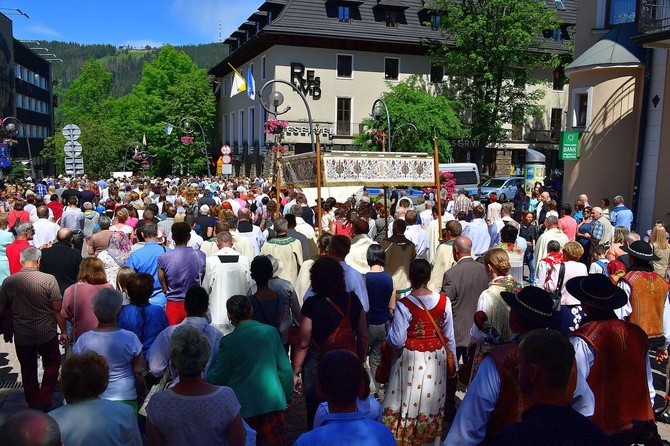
point(492, 401)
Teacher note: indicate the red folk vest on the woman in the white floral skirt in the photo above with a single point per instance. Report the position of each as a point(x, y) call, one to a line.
point(421, 335)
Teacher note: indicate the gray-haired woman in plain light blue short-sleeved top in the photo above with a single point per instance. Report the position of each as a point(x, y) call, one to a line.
point(121, 348)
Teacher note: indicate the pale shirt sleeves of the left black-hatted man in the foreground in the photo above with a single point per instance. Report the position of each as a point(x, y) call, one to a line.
point(469, 426)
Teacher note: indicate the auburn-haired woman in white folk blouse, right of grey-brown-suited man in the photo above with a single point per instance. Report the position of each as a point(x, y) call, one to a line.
point(490, 301)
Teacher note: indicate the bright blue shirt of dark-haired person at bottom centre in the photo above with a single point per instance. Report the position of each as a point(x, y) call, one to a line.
point(349, 428)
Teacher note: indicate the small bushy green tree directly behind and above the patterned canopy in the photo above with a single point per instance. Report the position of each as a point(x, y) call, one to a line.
point(416, 116)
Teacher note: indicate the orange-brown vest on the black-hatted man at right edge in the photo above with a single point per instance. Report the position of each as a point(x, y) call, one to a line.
point(647, 297)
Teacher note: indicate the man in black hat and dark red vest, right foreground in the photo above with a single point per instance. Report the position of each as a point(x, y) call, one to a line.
point(612, 355)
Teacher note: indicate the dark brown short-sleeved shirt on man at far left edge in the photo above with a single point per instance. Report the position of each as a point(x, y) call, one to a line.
point(29, 294)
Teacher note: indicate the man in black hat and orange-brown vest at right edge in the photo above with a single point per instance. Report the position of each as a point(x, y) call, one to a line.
point(647, 292)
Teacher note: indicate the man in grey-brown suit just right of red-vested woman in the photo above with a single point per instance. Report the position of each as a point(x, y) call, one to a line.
point(463, 283)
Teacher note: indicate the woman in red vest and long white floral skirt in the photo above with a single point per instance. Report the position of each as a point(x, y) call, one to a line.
point(414, 402)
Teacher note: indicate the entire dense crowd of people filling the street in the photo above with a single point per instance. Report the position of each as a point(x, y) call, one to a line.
point(194, 310)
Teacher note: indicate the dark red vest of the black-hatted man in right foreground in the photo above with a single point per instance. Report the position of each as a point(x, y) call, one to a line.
point(618, 377)
